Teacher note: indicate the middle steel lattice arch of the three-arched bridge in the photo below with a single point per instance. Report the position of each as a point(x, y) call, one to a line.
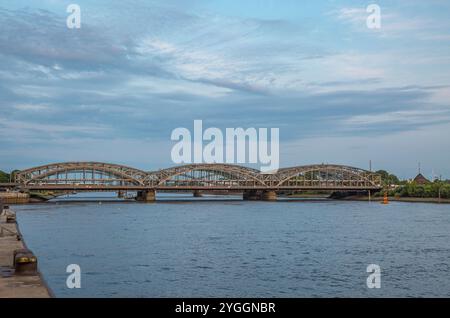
point(208, 175)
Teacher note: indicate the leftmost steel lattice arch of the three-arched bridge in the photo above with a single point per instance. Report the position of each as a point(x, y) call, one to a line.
point(82, 173)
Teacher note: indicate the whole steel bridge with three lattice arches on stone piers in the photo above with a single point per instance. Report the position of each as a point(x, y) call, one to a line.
point(98, 176)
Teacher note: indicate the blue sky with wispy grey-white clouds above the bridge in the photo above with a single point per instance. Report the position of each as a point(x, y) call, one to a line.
point(115, 89)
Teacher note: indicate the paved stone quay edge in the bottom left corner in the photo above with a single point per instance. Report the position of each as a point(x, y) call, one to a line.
point(13, 285)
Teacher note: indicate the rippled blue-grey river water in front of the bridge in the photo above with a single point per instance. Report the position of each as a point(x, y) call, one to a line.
point(242, 249)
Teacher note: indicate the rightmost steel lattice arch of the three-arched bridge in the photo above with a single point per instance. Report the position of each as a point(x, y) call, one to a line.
point(327, 176)
